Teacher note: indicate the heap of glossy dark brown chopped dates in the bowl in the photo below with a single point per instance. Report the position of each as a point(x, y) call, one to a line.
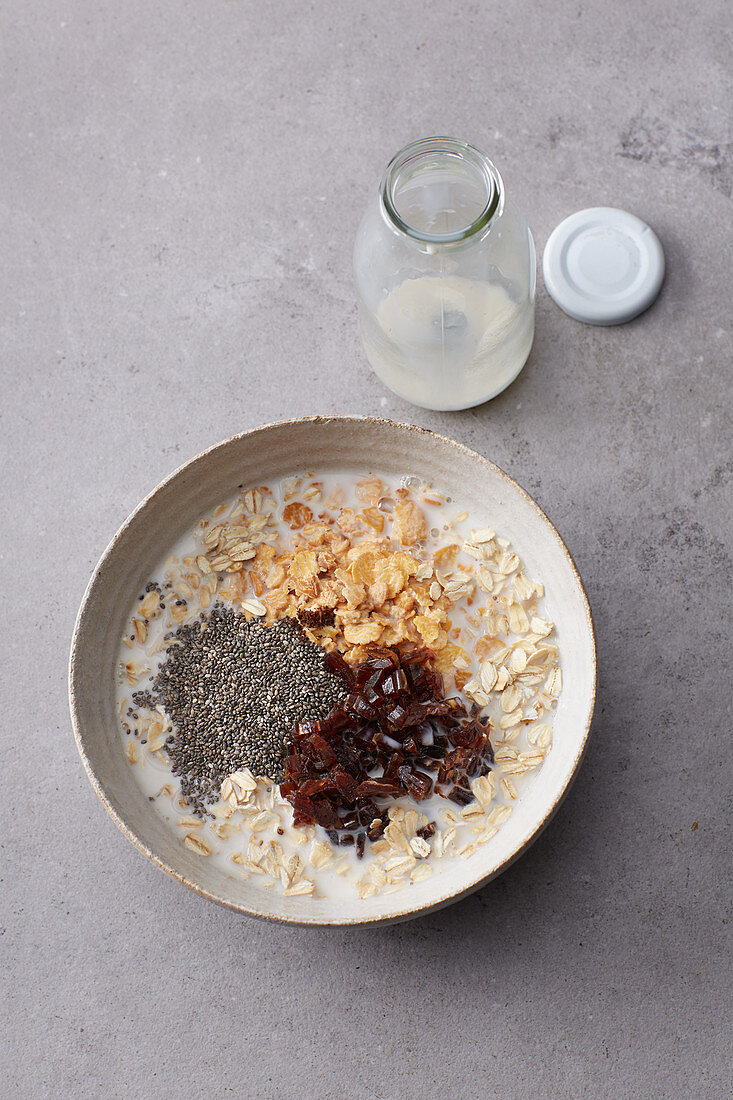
point(395, 728)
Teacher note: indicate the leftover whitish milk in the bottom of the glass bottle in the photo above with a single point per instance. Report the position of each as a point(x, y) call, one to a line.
point(448, 343)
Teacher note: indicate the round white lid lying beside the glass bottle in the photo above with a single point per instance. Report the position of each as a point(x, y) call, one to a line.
point(604, 267)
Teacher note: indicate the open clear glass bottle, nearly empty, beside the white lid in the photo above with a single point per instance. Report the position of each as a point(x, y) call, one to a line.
point(445, 274)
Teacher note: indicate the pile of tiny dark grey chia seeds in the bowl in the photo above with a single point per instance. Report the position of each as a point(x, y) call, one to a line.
point(233, 691)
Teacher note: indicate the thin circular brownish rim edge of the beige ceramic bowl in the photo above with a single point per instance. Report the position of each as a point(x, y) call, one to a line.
point(404, 914)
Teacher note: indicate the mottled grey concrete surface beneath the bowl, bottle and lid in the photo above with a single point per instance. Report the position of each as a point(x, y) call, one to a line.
point(181, 186)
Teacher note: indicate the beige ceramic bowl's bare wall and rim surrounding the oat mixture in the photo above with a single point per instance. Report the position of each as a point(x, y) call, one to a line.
point(265, 455)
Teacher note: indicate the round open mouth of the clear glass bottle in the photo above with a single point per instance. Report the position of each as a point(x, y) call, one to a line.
point(441, 190)
